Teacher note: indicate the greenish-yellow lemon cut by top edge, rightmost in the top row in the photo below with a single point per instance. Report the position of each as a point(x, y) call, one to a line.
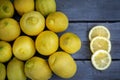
point(45, 6)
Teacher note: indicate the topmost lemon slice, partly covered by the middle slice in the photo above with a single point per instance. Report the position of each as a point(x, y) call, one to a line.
point(99, 31)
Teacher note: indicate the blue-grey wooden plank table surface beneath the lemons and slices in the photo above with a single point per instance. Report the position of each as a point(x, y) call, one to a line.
point(83, 15)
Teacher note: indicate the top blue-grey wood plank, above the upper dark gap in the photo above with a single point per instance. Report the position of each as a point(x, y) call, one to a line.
point(87, 10)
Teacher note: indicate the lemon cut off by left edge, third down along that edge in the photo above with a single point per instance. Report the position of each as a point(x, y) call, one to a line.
point(5, 51)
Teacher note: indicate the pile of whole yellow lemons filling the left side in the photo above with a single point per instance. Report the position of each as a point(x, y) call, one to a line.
point(21, 40)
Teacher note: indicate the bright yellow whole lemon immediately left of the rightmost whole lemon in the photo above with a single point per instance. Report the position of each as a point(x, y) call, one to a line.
point(46, 42)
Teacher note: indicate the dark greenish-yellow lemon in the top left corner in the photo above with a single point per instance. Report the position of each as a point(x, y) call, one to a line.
point(6, 9)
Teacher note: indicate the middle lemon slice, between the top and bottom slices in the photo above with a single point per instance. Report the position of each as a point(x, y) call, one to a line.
point(99, 43)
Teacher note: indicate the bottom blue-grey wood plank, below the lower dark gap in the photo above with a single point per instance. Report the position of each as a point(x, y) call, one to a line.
point(87, 72)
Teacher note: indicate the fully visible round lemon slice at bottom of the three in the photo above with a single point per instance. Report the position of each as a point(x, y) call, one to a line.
point(101, 59)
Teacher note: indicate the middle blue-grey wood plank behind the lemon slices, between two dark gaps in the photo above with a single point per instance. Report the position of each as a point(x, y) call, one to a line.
point(82, 30)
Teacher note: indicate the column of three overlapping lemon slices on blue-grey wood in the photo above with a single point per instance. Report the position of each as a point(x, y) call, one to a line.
point(100, 46)
